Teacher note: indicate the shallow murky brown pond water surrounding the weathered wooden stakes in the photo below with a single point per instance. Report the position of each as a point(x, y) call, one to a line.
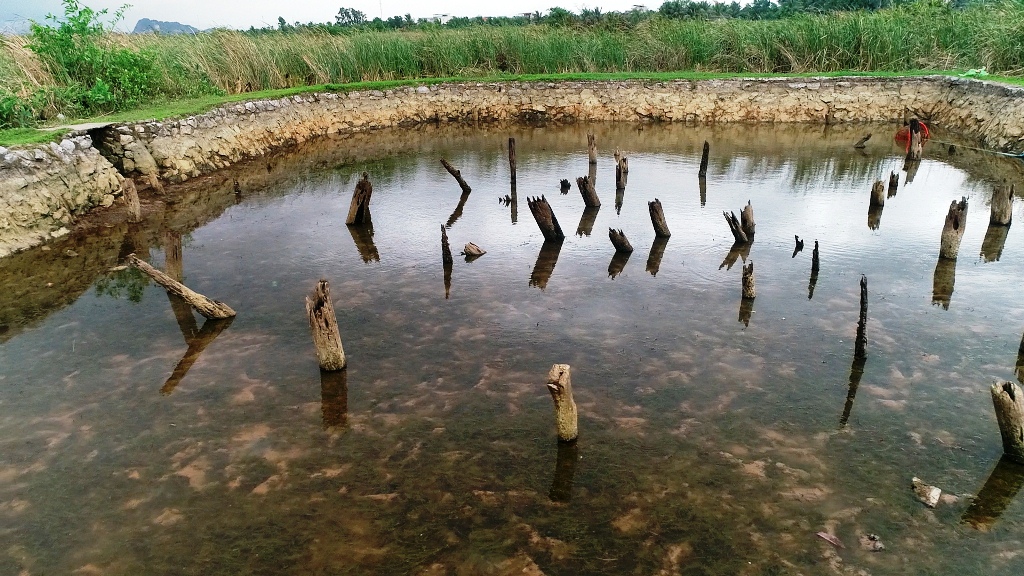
point(135, 439)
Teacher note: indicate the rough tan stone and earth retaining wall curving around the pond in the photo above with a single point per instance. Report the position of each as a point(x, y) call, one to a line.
point(179, 150)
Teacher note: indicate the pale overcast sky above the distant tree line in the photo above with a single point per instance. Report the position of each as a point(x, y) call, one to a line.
point(243, 14)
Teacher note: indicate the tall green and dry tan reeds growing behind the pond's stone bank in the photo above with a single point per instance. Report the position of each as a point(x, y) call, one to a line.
point(919, 36)
